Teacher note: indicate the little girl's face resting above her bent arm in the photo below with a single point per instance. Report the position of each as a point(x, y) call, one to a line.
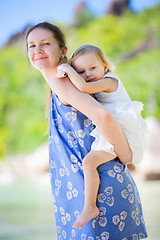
point(89, 67)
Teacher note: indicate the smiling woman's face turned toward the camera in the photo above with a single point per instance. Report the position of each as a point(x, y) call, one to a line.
point(43, 49)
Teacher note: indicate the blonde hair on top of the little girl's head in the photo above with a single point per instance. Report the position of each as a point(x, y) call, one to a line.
point(91, 49)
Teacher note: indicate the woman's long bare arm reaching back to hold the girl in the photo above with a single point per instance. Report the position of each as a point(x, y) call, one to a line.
point(104, 121)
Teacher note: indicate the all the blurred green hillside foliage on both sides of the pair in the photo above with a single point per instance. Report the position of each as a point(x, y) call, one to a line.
point(22, 89)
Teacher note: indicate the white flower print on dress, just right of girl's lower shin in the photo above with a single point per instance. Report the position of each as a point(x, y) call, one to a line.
point(107, 196)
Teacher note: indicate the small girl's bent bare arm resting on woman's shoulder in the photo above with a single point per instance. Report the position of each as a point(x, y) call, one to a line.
point(104, 84)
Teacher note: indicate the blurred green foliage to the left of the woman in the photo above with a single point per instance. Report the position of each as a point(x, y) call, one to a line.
point(22, 94)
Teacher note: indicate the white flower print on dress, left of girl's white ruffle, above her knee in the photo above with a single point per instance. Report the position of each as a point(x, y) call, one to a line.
point(76, 137)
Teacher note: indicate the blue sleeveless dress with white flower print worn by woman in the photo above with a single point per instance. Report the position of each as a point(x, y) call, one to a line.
point(118, 200)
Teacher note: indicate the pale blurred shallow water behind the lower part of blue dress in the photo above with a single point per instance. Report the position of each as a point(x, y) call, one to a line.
point(26, 211)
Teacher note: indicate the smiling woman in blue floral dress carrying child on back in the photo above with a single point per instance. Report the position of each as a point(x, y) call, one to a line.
point(69, 141)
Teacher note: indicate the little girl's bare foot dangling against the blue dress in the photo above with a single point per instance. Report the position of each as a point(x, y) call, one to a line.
point(86, 215)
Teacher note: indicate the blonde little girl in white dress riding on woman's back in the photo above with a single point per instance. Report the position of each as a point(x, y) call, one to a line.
point(95, 76)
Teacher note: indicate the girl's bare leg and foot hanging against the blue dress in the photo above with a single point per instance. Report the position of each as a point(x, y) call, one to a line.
point(90, 163)
